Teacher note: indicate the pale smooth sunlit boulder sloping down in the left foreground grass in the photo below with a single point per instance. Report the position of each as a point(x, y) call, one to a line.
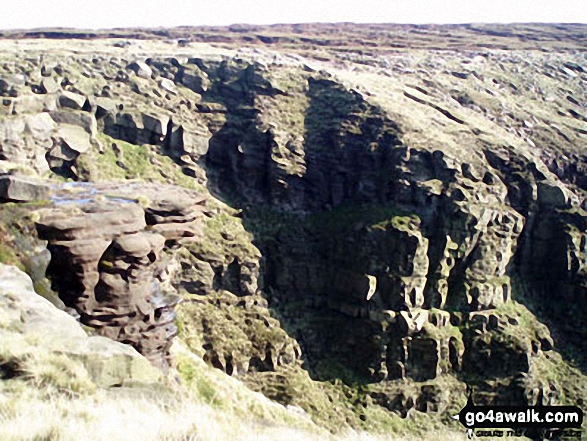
point(43, 332)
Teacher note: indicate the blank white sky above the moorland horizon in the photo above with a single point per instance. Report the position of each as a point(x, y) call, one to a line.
point(93, 14)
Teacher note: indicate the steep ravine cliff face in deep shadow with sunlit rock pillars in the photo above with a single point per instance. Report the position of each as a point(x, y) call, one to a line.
point(390, 262)
